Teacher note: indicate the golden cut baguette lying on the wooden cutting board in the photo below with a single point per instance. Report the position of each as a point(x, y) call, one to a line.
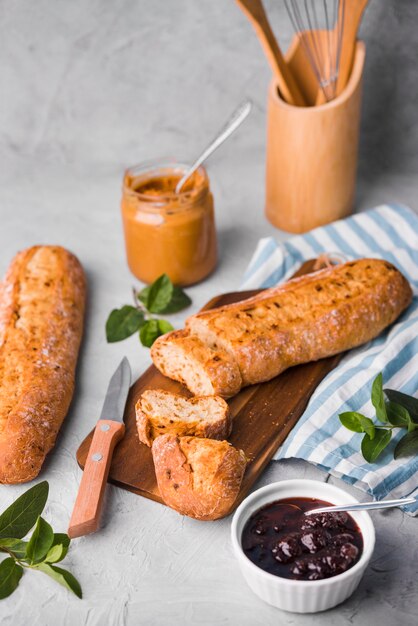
point(305, 319)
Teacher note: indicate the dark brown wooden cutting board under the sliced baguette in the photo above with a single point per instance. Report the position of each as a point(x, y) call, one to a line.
point(263, 414)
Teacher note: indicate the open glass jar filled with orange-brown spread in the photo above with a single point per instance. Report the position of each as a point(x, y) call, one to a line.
point(165, 231)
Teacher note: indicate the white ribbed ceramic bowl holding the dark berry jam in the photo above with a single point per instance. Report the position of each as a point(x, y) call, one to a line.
point(300, 596)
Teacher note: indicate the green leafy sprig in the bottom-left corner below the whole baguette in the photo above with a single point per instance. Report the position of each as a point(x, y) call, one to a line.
point(43, 549)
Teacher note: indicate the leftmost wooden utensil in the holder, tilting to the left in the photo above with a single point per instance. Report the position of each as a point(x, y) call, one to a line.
point(288, 87)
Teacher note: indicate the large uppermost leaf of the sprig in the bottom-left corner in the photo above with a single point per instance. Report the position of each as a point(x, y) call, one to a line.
point(21, 516)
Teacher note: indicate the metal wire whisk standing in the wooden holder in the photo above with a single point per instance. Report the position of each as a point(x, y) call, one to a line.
point(320, 26)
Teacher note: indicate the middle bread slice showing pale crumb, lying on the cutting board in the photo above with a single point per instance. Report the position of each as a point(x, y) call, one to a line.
point(159, 412)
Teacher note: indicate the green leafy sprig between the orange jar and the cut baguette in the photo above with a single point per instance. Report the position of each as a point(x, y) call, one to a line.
point(162, 297)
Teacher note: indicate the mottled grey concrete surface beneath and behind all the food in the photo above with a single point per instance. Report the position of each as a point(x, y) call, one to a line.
point(87, 88)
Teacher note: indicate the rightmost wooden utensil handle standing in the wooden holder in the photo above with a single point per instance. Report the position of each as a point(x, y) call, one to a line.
point(353, 13)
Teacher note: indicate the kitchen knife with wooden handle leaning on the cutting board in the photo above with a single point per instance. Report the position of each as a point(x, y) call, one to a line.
point(109, 430)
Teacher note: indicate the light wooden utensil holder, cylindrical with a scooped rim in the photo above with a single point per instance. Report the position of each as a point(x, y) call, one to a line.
point(312, 153)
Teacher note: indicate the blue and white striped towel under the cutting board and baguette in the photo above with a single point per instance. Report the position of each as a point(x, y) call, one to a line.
point(388, 232)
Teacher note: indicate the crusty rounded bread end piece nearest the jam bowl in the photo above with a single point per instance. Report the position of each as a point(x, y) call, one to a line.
point(198, 477)
